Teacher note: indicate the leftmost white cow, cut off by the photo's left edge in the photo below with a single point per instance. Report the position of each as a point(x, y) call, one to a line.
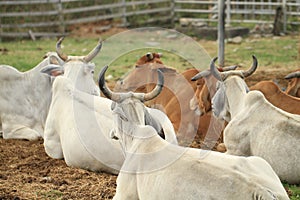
point(25, 99)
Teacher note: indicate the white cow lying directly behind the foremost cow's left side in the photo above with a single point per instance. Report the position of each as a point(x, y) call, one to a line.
point(79, 124)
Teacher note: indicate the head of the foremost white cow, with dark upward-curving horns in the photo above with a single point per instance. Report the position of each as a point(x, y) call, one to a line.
point(129, 108)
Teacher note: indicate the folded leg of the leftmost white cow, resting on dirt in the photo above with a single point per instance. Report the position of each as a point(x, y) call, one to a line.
point(13, 131)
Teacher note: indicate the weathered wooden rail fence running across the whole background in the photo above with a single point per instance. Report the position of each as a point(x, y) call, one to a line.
point(37, 18)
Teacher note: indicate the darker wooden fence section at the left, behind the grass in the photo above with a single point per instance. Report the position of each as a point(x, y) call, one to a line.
point(38, 18)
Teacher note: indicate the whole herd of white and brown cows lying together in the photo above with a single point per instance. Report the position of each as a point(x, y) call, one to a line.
point(137, 130)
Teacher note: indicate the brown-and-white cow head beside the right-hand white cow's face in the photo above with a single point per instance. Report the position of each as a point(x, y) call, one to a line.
point(206, 88)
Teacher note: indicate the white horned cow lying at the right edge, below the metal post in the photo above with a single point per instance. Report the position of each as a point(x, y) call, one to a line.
point(256, 127)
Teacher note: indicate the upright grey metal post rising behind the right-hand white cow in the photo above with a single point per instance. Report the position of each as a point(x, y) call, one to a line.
point(221, 32)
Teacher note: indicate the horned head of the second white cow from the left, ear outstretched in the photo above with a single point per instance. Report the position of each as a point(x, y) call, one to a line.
point(77, 68)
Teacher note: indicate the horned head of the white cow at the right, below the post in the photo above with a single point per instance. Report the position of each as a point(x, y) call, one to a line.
point(220, 106)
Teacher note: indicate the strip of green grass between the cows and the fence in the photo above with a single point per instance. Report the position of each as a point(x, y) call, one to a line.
point(282, 52)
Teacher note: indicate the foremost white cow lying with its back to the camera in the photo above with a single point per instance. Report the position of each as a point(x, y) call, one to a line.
point(156, 169)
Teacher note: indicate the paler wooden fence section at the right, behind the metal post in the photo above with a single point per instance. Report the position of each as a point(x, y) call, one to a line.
point(240, 11)
